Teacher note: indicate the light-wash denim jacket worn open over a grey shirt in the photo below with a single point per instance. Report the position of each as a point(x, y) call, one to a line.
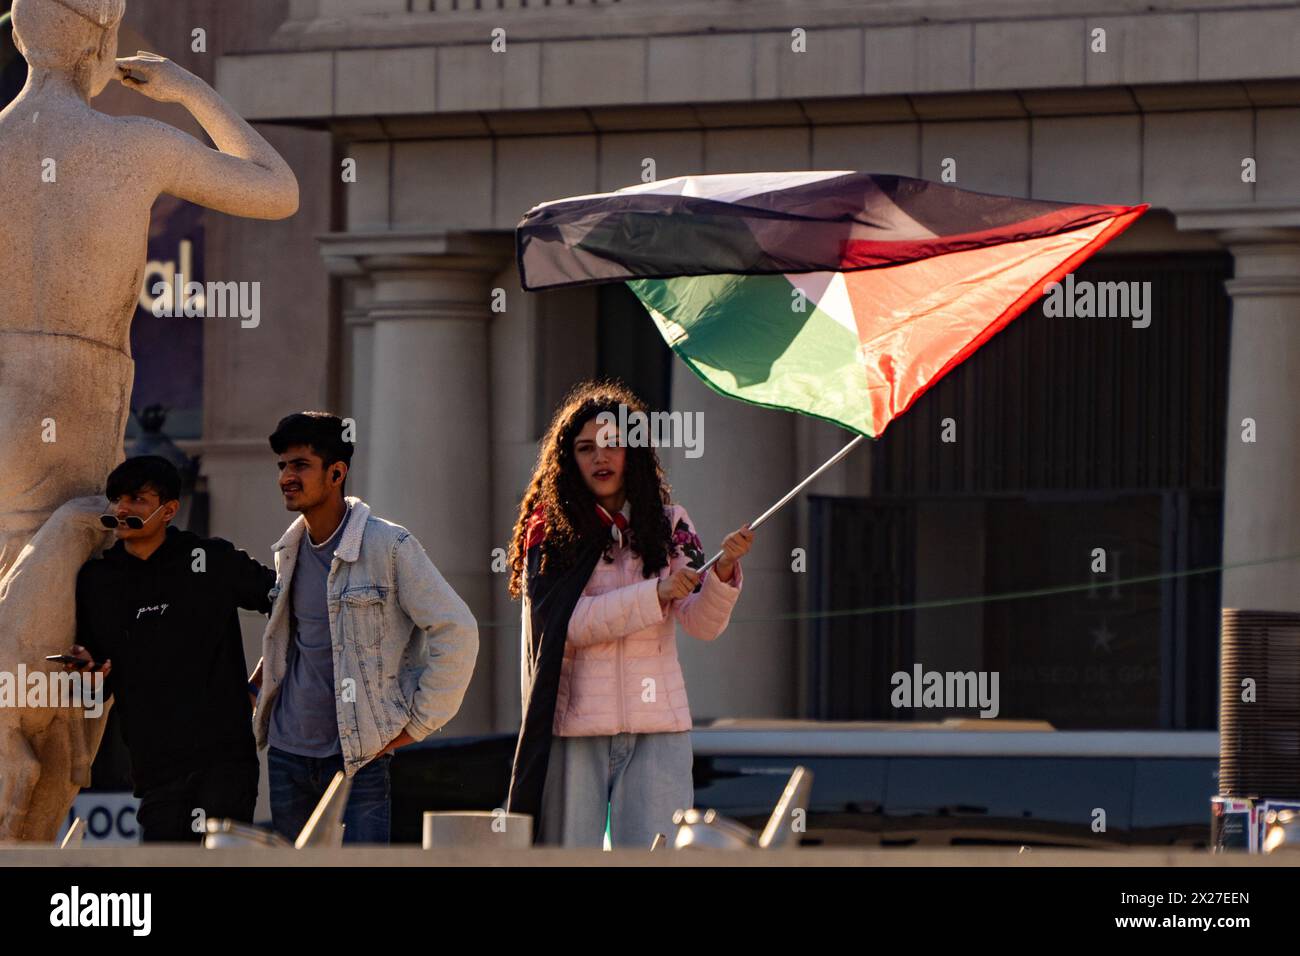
point(405, 643)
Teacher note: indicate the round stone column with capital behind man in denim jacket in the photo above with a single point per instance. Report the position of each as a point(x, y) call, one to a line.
point(428, 452)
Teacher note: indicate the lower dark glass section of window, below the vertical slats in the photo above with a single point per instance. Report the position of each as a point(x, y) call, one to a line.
point(1011, 586)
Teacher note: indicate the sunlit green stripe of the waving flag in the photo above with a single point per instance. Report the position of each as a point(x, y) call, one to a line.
point(743, 338)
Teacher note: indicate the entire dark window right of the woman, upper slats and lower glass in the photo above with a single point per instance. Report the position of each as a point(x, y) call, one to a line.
point(1073, 435)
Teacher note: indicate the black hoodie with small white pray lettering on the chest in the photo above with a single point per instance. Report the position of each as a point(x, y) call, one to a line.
point(171, 626)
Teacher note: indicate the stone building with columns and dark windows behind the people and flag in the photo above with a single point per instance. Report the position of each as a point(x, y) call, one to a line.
point(1072, 434)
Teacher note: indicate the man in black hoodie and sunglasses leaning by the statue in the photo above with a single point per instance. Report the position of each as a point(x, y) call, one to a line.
point(161, 612)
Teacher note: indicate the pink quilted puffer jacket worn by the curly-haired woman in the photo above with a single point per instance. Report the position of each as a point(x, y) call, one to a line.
point(621, 673)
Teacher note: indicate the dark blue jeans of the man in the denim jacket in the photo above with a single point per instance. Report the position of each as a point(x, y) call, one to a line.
point(298, 785)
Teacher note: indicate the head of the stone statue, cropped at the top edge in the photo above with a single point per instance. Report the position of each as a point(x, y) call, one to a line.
point(73, 37)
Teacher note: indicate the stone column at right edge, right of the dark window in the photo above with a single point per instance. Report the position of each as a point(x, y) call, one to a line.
point(1262, 499)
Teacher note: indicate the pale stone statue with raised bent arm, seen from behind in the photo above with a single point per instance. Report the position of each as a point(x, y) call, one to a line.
point(76, 192)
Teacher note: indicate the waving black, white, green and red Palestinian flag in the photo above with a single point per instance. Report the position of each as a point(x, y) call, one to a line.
point(838, 295)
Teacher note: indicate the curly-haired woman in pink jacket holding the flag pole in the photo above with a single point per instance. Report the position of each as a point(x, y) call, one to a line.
point(605, 565)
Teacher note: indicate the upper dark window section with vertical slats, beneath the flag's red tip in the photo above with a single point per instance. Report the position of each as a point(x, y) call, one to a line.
point(1069, 404)
